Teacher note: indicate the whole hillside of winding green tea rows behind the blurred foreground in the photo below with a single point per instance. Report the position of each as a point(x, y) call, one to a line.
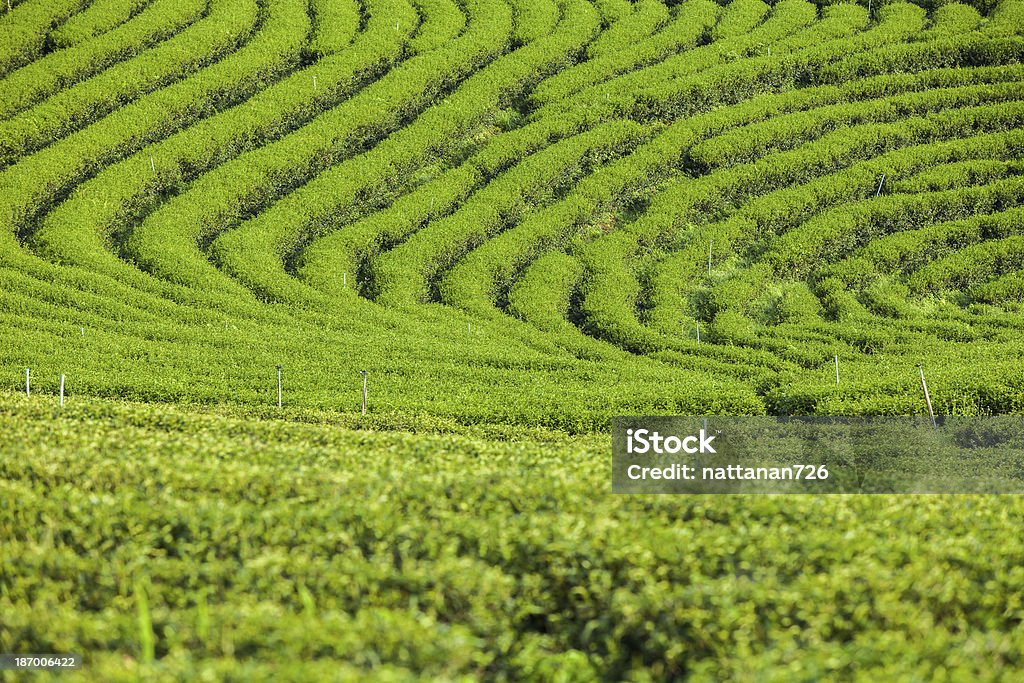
point(530, 212)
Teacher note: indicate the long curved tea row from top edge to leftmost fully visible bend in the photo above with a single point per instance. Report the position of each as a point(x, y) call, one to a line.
point(133, 188)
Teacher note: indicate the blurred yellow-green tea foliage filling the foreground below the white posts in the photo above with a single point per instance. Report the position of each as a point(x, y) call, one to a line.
point(247, 548)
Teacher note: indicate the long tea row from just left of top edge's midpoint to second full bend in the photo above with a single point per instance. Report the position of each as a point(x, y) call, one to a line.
point(167, 246)
